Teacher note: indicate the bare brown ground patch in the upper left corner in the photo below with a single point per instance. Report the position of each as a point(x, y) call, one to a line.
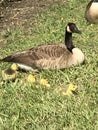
point(15, 12)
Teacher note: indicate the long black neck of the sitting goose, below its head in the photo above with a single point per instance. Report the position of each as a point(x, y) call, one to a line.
point(68, 41)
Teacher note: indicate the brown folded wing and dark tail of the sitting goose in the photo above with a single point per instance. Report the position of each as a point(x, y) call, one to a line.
point(42, 52)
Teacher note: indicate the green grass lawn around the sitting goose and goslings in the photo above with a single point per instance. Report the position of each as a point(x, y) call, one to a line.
point(25, 106)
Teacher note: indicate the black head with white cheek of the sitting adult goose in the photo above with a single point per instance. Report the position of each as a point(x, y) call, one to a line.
point(72, 28)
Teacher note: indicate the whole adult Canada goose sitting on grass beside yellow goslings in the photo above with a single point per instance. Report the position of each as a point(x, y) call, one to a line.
point(50, 56)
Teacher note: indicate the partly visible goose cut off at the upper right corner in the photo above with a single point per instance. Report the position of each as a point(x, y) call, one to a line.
point(91, 13)
